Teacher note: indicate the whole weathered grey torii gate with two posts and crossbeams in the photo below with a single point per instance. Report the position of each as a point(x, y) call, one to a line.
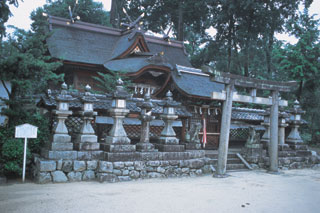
point(228, 96)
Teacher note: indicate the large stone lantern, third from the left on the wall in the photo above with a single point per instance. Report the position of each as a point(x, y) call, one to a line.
point(117, 140)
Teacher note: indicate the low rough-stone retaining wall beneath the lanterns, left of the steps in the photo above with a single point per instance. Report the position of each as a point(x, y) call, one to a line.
point(60, 171)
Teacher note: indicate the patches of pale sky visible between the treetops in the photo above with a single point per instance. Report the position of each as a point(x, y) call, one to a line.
point(21, 15)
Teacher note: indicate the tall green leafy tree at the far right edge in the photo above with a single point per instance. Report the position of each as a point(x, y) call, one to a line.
point(300, 62)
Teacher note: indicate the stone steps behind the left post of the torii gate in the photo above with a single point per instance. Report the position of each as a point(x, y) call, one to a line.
point(233, 162)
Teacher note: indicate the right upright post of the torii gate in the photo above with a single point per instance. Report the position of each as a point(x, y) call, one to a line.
point(273, 145)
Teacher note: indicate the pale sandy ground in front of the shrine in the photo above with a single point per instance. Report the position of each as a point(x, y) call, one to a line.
point(252, 191)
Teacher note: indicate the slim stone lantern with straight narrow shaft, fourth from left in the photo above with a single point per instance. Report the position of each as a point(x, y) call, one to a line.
point(145, 117)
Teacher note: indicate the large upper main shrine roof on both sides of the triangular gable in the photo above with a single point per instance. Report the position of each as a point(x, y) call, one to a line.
point(95, 44)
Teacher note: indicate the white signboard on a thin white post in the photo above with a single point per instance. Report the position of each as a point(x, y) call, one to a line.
point(25, 131)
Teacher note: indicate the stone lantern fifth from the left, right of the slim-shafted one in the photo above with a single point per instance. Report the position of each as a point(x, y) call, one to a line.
point(167, 140)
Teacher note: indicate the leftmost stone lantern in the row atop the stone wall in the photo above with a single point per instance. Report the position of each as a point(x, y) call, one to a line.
point(61, 140)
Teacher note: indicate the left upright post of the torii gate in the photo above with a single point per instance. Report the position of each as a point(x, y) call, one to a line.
point(224, 132)
